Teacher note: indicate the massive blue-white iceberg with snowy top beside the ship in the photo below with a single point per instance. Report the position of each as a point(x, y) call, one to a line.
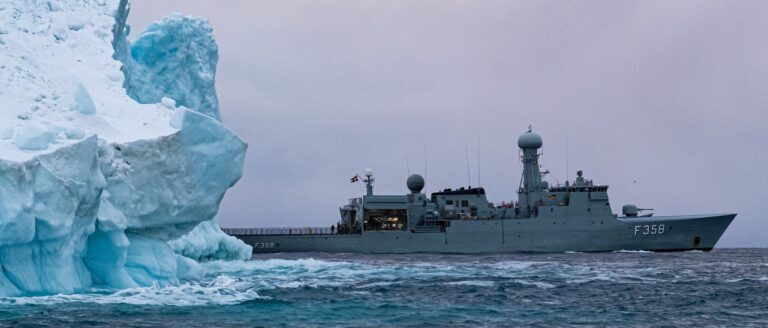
point(110, 150)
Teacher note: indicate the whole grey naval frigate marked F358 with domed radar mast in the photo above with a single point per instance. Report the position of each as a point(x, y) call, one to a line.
point(576, 216)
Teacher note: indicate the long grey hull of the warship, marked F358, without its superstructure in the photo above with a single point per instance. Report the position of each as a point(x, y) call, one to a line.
point(541, 234)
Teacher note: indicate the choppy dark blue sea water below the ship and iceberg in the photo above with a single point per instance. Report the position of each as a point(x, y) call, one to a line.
point(727, 287)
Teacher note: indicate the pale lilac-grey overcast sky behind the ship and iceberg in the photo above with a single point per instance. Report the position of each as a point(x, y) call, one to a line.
point(665, 101)
